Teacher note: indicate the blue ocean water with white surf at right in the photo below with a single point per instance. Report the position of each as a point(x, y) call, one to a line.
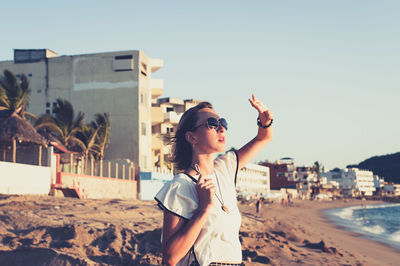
point(379, 222)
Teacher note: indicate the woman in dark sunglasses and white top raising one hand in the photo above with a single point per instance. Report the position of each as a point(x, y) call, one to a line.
point(201, 217)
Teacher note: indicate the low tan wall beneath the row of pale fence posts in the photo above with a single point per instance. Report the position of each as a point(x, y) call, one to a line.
point(100, 187)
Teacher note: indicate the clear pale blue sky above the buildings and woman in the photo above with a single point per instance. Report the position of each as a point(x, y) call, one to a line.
point(329, 70)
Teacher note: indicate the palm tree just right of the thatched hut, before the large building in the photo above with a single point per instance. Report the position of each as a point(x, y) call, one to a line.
point(64, 124)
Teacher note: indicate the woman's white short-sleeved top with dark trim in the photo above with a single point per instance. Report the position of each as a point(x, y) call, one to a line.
point(218, 240)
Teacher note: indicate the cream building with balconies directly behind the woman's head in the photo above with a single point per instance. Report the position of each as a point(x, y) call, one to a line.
point(165, 116)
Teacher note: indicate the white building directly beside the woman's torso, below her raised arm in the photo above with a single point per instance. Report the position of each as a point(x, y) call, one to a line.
point(253, 179)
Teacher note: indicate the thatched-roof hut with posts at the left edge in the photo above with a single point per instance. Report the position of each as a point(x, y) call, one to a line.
point(14, 128)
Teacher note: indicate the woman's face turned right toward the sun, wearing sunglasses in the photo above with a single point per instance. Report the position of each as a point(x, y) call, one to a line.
point(208, 140)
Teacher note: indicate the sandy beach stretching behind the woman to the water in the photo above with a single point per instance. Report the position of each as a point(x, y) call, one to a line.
point(43, 230)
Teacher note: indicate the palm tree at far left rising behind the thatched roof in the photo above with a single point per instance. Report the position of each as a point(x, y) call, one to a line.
point(14, 94)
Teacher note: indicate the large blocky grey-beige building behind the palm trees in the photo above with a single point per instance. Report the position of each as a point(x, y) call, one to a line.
point(118, 83)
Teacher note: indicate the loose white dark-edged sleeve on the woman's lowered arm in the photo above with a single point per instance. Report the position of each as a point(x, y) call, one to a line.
point(179, 197)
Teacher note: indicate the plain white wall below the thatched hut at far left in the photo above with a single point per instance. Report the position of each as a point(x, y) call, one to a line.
point(18, 178)
